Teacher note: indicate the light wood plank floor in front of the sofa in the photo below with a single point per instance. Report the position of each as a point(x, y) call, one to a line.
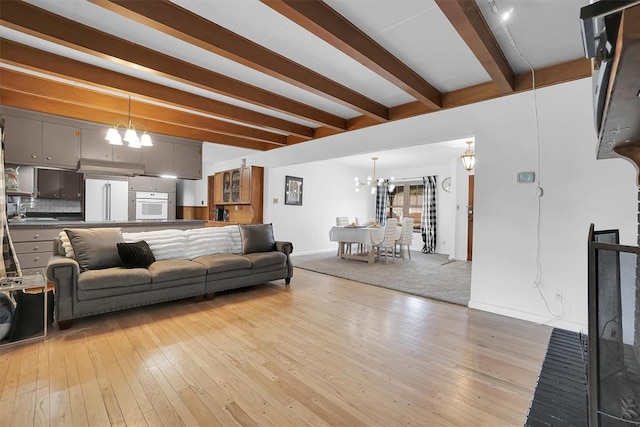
point(325, 351)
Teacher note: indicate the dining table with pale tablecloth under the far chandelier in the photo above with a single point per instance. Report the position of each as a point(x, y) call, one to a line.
point(365, 236)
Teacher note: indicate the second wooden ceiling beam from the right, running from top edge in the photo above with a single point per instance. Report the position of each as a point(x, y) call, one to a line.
point(320, 19)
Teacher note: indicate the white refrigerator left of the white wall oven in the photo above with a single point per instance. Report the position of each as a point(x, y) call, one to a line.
point(106, 199)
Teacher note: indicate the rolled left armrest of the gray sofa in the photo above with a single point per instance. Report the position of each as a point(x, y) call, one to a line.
point(64, 273)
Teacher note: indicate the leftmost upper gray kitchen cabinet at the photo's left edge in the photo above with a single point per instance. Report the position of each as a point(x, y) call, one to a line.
point(23, 140)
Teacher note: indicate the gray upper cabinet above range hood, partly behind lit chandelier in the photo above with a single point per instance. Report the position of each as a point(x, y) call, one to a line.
point(94, 146)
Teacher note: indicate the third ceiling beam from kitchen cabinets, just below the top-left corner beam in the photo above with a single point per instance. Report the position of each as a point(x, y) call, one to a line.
point(38, 60)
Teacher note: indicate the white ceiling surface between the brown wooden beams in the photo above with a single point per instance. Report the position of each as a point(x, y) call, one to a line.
point(417, 32)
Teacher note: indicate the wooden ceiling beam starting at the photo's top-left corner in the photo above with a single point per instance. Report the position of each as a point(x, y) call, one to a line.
point(46, 25)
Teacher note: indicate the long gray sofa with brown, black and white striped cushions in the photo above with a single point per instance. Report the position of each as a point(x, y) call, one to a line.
point(101, 270)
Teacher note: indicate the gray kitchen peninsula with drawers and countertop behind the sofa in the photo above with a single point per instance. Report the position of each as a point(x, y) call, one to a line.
point(33, 238)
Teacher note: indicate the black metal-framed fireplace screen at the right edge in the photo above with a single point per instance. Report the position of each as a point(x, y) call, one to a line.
point(614, 331)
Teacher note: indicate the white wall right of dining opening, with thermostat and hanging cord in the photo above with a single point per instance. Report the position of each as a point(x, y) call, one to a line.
point(578, 190)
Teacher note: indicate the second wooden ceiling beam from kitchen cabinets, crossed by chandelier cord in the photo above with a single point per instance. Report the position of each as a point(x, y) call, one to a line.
point(25, 83)
